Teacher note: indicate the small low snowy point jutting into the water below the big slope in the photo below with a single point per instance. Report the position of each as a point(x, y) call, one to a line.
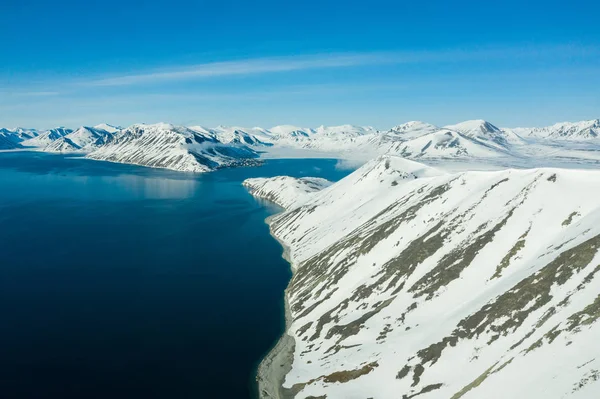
point(286, 191)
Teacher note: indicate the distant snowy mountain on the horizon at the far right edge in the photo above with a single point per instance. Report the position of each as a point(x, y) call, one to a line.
point(583, 130)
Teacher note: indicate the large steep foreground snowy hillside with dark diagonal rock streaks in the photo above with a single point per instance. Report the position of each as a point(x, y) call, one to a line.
point(411, 282)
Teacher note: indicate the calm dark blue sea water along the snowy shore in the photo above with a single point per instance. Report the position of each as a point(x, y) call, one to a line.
point(119, 281)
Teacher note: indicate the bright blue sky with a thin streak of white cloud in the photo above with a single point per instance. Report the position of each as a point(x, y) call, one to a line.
point(263, 63)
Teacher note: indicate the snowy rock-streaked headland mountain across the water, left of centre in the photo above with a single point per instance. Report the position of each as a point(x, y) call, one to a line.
point(173, 147)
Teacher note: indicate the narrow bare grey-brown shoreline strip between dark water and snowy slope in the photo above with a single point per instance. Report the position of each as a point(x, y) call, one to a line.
point(278, 362)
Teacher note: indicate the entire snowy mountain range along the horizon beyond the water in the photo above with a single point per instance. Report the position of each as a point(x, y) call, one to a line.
point(201, 149)
